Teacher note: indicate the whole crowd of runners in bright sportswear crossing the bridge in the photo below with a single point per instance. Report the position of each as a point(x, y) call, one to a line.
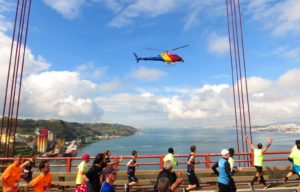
point(100, 177)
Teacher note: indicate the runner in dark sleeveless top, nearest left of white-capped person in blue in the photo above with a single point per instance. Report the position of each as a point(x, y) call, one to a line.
point(193, 180)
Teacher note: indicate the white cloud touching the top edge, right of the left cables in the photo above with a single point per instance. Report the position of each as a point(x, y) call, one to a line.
point(68, 8)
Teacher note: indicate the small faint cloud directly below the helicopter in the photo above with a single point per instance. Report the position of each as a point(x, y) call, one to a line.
point(147, 74)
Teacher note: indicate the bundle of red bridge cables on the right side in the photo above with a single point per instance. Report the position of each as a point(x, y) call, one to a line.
point(235, 38)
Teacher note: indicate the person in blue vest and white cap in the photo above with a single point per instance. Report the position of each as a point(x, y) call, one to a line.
point(224, 174)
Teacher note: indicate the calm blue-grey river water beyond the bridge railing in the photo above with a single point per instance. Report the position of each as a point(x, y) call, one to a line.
point(157, 141)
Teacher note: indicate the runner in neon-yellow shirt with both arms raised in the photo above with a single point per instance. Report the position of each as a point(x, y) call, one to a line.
point(258, 161)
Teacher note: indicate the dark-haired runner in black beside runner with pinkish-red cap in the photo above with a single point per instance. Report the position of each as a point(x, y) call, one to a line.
point(94, 174)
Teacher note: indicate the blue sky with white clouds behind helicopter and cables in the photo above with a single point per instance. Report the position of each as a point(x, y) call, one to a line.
point(80, 64)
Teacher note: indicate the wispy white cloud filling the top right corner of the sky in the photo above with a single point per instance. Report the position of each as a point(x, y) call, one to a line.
point(282, 17)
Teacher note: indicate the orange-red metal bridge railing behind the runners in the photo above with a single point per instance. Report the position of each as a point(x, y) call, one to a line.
point(155, 162)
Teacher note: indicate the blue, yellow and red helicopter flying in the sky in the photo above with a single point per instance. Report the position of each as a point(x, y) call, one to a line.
point(165, 56)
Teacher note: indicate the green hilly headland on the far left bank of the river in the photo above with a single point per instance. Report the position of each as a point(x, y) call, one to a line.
point(72, 130)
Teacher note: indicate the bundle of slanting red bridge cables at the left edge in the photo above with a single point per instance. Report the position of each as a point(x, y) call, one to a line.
point(15, 79)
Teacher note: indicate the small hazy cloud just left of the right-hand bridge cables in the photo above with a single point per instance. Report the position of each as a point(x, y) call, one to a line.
point(218, 44)
